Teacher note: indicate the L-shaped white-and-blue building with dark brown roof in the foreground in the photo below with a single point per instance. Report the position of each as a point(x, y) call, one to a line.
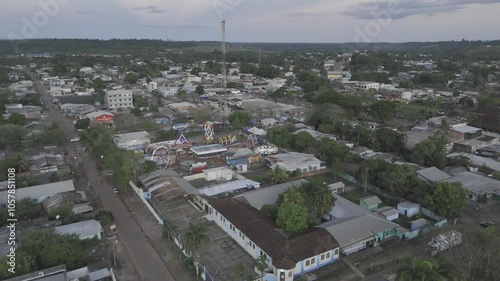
point(287, 257)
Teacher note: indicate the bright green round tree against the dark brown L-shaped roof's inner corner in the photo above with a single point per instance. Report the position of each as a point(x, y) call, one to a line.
point(292, 218)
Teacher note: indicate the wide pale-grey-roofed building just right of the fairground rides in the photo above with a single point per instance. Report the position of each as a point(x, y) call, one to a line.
point(293, 161)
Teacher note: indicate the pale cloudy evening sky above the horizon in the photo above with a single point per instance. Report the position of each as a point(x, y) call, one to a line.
point(253, 20)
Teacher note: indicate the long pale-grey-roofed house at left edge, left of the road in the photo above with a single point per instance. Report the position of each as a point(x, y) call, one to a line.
point(39, 192)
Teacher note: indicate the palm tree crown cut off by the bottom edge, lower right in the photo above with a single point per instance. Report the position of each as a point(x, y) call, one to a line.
point(425, 270)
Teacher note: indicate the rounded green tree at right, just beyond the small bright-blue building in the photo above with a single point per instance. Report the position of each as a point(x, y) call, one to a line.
point(448, 199)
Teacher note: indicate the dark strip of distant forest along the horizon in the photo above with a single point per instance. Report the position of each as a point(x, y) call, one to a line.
point(477, 49)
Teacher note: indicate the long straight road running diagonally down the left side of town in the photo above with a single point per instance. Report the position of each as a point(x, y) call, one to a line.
point(147, 262)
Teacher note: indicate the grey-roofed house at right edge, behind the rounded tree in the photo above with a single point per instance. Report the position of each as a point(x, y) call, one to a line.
point(477, 185)
